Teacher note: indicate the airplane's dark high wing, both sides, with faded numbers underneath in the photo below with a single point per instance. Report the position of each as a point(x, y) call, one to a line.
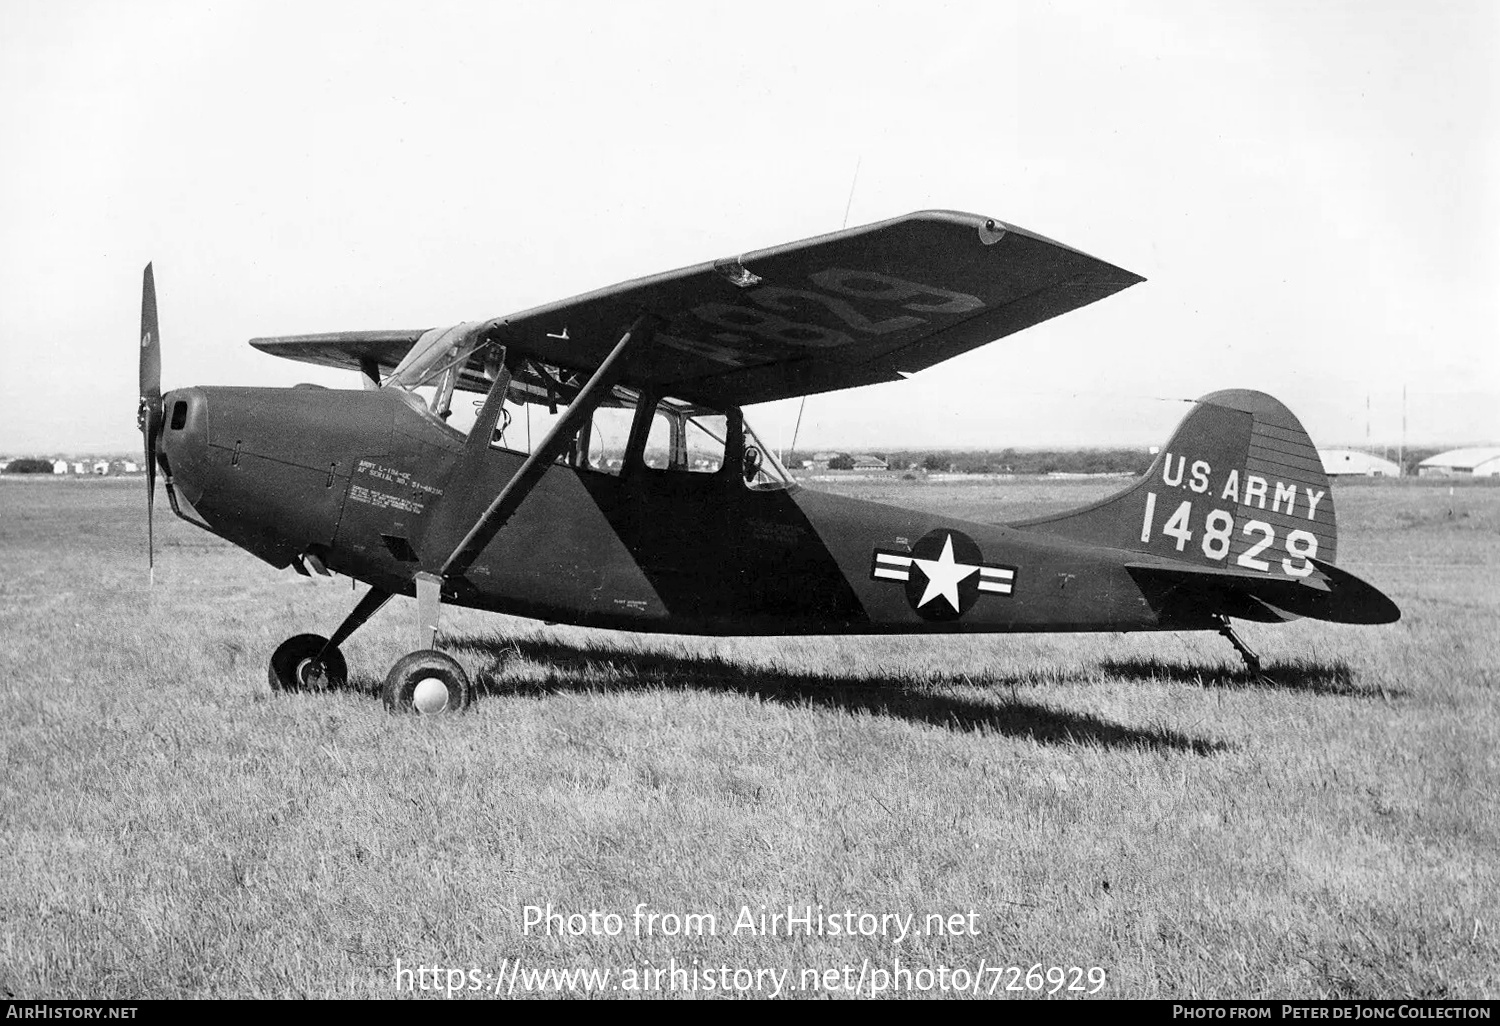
point(845, 310)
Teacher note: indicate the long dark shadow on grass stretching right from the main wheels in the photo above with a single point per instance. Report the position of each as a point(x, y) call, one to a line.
point(931, 701)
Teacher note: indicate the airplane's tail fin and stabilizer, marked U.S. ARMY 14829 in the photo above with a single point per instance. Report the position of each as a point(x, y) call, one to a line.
point(1237, 509)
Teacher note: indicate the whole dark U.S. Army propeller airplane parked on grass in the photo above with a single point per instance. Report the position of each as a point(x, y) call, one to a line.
point(607, 476)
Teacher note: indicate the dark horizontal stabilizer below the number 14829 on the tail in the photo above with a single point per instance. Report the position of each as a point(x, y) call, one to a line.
point(1328, 593)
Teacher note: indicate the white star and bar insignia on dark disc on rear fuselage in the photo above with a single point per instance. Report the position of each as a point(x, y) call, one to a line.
point(944, 574)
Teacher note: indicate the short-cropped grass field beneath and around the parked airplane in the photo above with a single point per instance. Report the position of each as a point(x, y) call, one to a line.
point(1133, 803)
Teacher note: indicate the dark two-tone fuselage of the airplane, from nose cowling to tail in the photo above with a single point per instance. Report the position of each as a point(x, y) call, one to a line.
point(365, 485)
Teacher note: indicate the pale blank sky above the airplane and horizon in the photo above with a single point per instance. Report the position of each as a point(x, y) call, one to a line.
point(1310, 190)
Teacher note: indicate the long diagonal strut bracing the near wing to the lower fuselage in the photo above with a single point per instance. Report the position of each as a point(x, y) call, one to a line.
point(520, 487)
